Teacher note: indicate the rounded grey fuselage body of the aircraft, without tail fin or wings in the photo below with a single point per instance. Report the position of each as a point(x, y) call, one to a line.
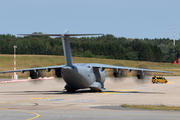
point(79, 76)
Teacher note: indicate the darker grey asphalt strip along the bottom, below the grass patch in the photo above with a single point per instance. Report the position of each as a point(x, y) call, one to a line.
point(82, 115)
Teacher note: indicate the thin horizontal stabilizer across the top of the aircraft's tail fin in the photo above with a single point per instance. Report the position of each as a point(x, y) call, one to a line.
point(58, 34)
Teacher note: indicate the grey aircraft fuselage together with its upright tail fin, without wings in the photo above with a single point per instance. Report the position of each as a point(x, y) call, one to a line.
point(79, 76)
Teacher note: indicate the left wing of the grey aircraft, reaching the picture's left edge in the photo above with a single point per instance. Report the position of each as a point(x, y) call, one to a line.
point(30, 69)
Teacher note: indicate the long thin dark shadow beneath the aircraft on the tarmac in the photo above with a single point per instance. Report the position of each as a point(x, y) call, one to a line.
point(77, 92)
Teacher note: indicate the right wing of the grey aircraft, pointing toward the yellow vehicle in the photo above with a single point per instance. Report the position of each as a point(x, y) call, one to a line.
point(126, 68)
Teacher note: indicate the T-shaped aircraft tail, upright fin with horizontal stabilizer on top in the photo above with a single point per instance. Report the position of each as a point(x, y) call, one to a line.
point(66, 45)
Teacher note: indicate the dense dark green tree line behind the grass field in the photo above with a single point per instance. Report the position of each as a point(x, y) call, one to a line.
point(105, 46)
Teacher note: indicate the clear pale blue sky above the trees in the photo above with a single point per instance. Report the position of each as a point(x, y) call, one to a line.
point(122, 18)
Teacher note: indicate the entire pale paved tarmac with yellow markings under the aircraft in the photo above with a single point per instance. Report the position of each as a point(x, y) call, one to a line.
point(48, 101)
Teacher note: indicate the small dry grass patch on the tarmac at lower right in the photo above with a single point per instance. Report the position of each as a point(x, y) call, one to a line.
point(152, 107)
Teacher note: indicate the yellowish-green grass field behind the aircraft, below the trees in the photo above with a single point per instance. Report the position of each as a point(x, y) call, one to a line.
point(27, 61)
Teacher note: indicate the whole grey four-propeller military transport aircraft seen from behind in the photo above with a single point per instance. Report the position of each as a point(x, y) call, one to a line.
point(81, 75)
